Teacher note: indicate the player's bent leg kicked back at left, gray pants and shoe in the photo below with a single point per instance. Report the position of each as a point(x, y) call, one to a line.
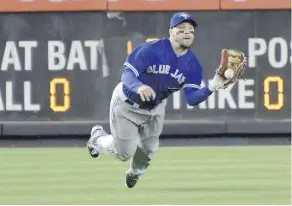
point(122, 142)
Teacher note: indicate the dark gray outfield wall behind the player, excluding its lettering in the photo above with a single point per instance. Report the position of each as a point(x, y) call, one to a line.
point(90, 90)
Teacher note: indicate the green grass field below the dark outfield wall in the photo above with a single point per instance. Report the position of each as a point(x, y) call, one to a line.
point(185, 175)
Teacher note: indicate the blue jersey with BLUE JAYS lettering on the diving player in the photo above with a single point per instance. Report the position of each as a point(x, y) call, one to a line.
point(156, 65)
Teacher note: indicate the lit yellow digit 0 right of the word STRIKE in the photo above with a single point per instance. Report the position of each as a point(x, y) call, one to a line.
point(280, 100)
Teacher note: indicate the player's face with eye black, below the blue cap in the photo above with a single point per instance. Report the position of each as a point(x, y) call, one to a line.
point(183, 34)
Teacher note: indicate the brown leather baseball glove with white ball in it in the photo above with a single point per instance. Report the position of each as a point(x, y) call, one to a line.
point(232, 66)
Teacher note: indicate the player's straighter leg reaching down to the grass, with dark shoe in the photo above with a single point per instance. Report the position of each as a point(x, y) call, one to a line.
point(147, 145)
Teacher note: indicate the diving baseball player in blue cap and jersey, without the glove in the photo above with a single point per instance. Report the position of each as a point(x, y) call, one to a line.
point(153, 71)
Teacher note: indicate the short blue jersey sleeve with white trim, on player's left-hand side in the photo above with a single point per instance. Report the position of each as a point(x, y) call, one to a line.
point(139, 60)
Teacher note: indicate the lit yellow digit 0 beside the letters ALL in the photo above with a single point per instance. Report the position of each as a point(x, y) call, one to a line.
point(66, 99)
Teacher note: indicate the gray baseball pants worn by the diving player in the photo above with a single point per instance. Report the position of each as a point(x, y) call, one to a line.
point(135, 132)
